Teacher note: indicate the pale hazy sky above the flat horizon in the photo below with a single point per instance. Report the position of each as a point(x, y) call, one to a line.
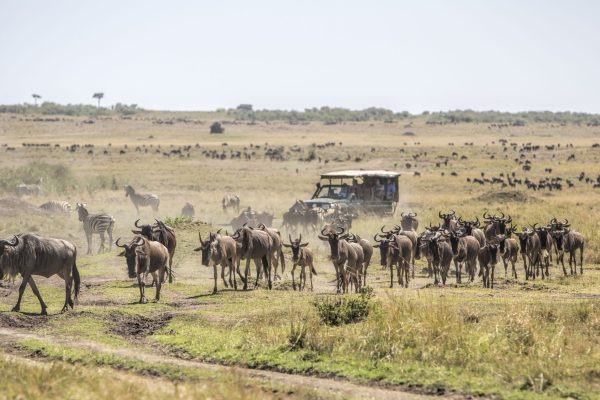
point(402, 55)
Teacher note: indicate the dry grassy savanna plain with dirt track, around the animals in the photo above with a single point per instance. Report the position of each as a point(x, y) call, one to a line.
point(523, 339)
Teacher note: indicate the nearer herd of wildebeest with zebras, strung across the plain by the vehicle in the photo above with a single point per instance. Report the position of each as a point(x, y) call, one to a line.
point(465, 243)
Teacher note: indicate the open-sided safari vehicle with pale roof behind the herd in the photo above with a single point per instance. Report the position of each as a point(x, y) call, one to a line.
point(360, 191)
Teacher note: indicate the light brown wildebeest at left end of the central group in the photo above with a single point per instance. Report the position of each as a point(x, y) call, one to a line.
point(220, 250)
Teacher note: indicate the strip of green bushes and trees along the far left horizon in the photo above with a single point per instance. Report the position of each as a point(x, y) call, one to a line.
point(51, 108)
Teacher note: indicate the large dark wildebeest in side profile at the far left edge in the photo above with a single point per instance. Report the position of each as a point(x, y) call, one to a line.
point(29, 254)
